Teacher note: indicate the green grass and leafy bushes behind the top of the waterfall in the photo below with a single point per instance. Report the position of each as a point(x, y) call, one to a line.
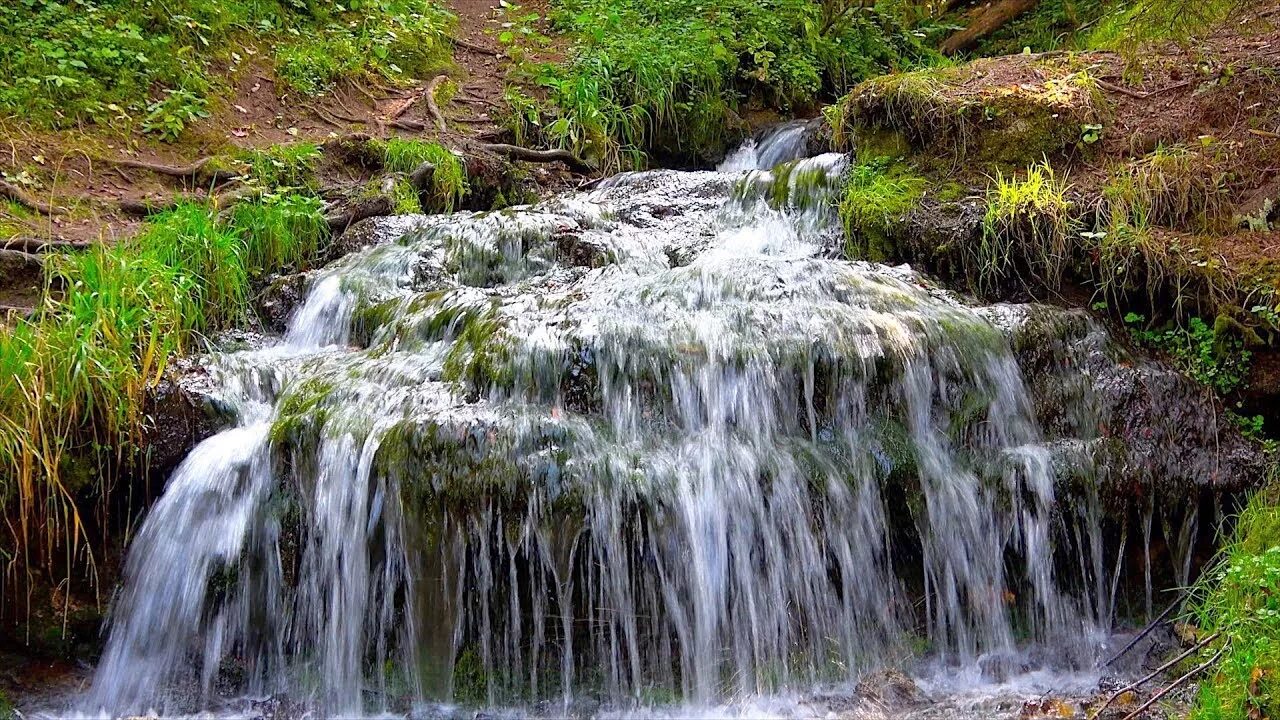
point(670, 76)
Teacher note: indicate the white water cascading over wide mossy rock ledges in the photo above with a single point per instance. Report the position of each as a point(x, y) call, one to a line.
point(648, 444)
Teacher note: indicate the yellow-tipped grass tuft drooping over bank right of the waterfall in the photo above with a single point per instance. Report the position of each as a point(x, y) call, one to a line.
point(1028, 227)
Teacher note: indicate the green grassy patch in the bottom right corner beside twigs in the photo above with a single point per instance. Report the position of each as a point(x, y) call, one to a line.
point(1240, 599)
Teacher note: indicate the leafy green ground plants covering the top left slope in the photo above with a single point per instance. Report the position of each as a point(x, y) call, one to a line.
point(161, 66)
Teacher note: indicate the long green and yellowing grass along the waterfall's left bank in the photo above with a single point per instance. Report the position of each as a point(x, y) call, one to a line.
point(75, 377)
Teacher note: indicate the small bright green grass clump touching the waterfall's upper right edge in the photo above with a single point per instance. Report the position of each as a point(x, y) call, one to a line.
point(877, 194)
